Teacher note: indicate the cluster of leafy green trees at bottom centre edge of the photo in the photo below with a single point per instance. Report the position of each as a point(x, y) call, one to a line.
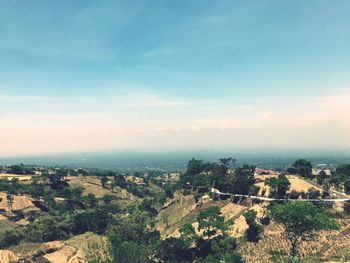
point(134, 240)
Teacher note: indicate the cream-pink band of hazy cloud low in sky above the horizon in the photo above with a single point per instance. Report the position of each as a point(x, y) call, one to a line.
point(21, 134)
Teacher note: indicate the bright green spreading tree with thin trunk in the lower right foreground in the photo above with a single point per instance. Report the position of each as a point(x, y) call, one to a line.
point(301, 220)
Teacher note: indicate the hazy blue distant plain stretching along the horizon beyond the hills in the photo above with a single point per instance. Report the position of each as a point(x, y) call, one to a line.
point(177, 160)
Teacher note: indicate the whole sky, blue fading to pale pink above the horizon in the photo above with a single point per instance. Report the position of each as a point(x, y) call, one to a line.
point(157, 75)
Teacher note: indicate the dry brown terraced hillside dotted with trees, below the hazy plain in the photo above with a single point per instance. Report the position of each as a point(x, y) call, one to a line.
point(75, 216)
